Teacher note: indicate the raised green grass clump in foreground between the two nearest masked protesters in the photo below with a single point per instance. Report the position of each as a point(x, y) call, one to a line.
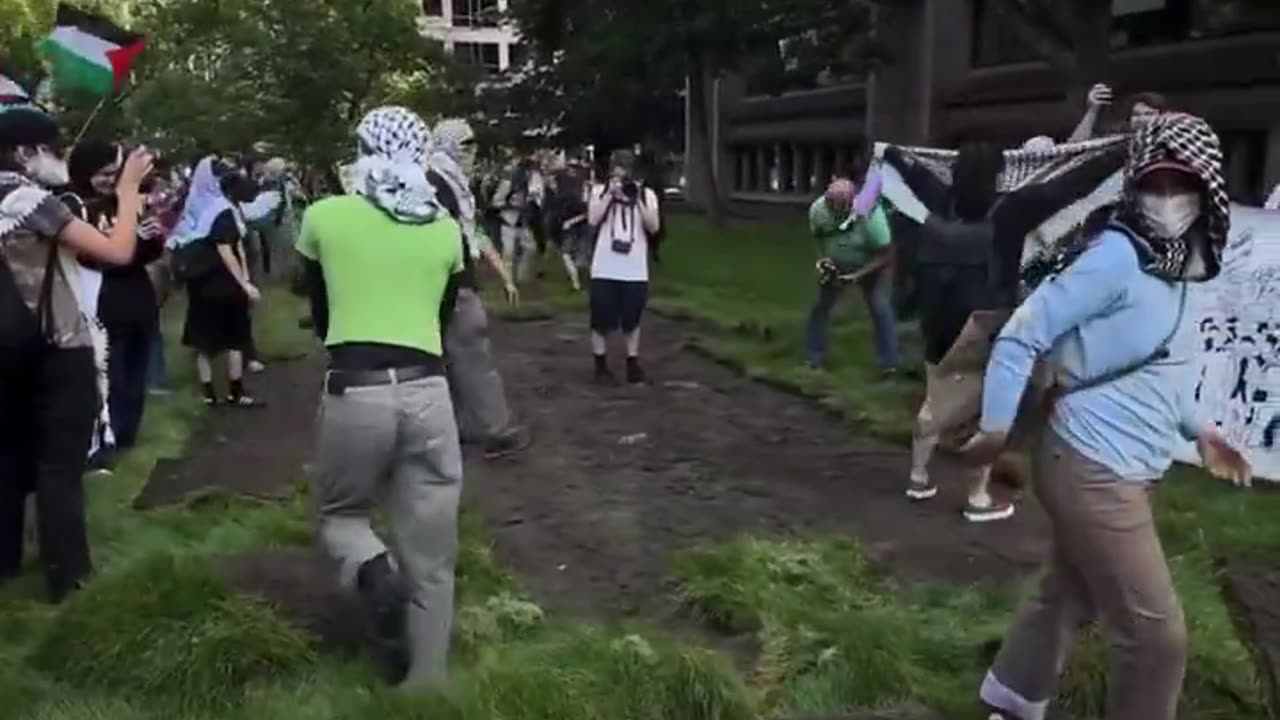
point(836, 636)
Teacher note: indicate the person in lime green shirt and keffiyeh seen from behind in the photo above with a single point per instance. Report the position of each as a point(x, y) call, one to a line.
point(382, 265)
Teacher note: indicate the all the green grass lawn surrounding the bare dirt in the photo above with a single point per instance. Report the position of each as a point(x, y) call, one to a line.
point(157, 636)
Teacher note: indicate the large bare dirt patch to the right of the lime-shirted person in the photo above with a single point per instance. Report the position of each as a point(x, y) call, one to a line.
point(621, 479)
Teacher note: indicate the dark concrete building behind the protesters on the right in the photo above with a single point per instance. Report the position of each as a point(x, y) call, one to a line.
point(961, 72)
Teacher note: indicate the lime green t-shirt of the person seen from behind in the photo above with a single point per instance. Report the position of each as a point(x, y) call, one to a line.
point(385, 280)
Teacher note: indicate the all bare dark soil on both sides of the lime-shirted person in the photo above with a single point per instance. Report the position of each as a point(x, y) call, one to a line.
point(619, 480)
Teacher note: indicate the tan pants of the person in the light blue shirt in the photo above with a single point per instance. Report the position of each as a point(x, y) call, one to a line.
point(1108, 566)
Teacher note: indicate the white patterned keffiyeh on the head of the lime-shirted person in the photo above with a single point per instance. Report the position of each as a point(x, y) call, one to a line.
point(390, 171)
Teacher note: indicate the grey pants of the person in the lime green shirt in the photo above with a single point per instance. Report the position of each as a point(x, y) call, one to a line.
point(396, 446)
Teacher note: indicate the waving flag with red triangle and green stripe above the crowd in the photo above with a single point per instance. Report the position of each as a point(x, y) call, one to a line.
point(90, 53)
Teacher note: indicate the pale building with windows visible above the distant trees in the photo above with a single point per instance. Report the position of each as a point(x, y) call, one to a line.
point(474, 31)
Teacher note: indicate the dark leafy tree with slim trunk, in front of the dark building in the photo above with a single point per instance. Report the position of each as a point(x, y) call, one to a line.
point(620, 44)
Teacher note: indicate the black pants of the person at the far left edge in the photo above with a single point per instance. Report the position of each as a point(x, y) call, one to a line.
point(48, 409)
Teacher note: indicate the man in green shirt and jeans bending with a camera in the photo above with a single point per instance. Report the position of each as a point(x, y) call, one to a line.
point(857, 253)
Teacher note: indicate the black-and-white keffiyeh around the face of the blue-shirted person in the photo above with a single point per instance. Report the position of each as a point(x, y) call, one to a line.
point(1190, 144)
